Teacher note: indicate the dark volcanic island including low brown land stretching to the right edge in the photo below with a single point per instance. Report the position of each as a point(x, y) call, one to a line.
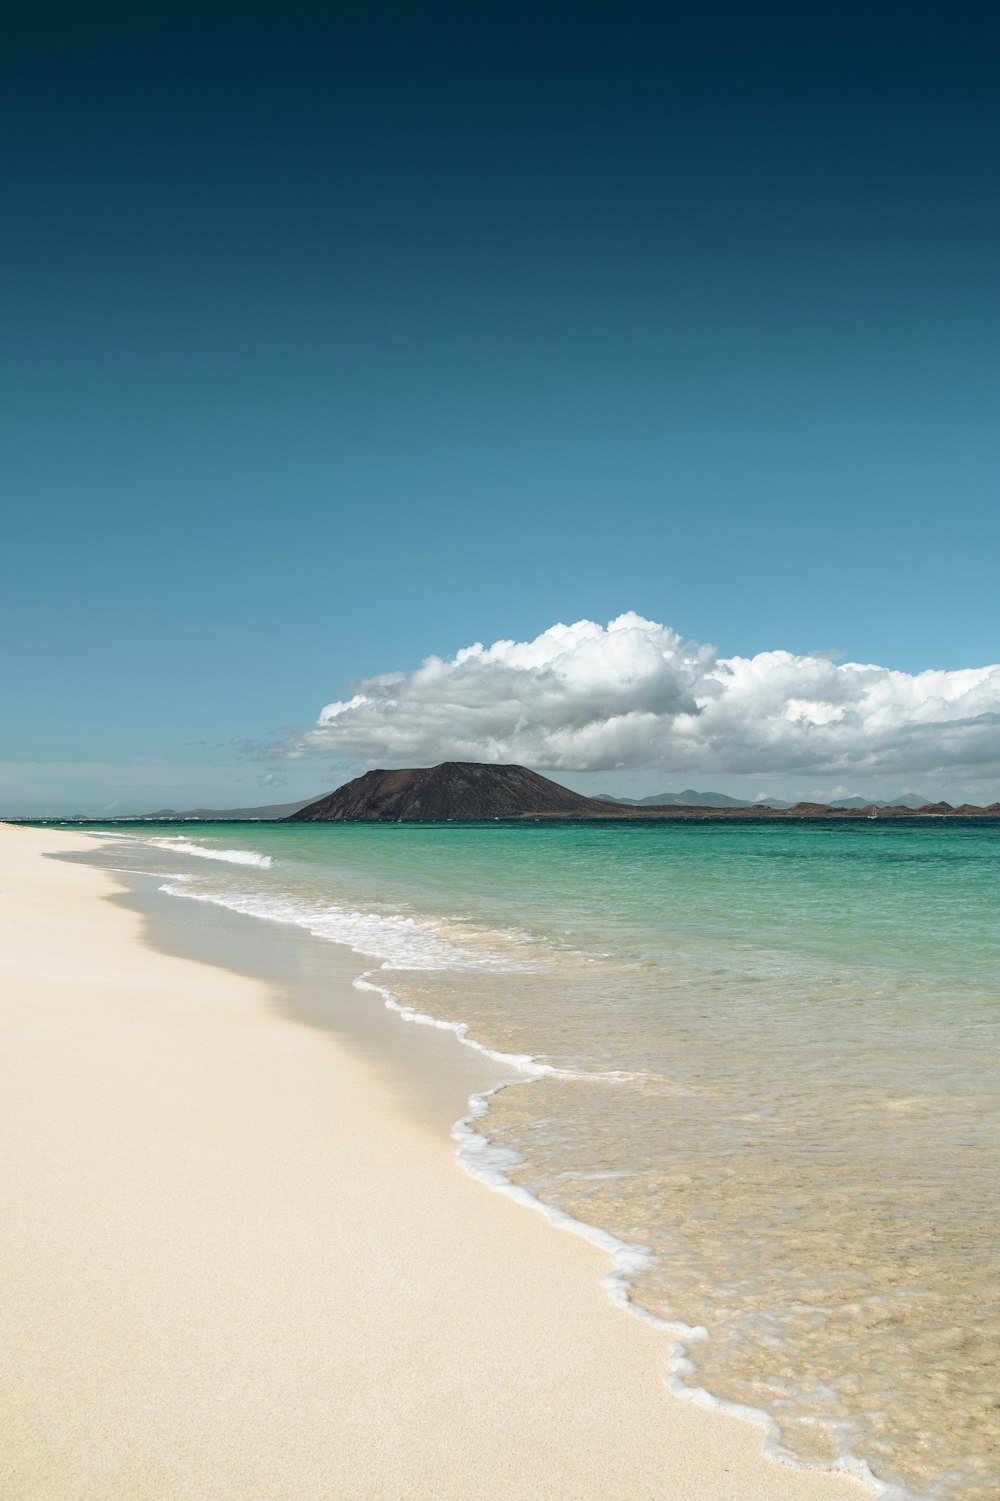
point(468, 792)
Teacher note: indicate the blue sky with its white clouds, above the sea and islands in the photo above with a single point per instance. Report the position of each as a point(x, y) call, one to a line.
point(342, 338)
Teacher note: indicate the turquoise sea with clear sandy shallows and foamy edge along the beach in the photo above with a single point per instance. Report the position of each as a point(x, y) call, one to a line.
point(774, 1054)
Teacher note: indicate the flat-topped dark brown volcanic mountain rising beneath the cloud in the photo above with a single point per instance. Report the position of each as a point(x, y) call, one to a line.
point(465, 790)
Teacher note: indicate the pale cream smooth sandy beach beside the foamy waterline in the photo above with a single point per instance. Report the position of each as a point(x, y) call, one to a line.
point(238, 1265)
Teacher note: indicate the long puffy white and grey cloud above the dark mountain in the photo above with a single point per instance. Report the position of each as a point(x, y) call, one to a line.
point(634, 694)
